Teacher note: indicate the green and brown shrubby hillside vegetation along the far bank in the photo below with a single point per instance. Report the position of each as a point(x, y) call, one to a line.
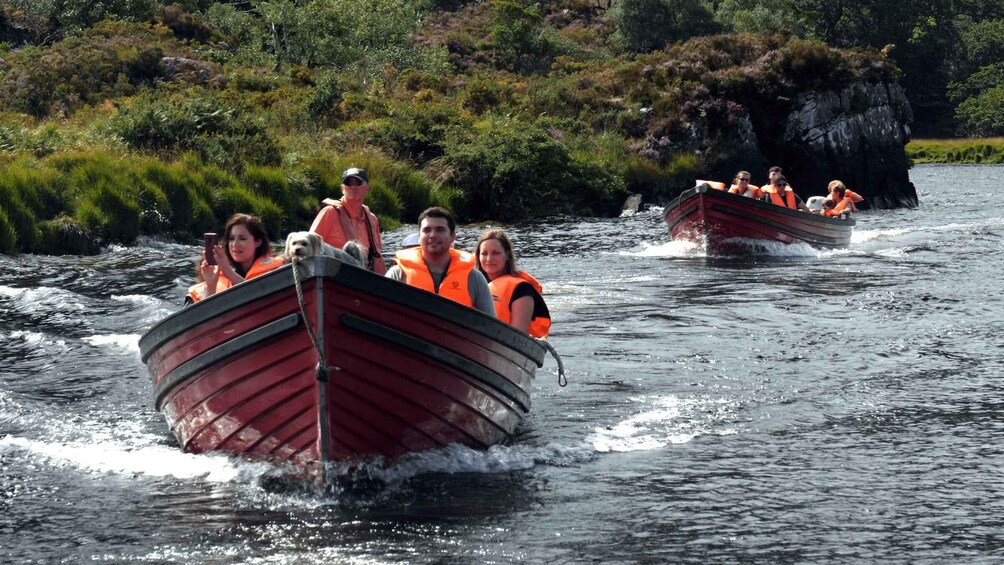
point(128, 118)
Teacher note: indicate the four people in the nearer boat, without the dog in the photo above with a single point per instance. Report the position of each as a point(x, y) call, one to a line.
point(488, 280)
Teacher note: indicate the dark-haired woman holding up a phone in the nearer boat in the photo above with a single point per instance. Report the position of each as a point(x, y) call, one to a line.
point(246, 256)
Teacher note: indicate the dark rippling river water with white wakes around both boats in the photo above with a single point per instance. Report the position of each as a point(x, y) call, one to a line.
point(802, 407)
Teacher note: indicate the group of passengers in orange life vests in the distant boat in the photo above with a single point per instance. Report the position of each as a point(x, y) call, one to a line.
point(840, 201)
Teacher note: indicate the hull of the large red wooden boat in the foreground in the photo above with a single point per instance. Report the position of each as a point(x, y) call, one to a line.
point(407, 370)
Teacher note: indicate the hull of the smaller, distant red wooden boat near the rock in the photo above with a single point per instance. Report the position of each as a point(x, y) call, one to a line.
point(726, 224)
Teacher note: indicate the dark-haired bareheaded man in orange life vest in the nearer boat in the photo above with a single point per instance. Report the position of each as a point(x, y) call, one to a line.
point(437, 267)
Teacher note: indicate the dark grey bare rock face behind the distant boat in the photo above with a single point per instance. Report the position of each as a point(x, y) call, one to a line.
point(857, 135)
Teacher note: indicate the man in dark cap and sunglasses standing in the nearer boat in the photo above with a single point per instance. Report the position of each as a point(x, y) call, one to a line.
point(348, 219)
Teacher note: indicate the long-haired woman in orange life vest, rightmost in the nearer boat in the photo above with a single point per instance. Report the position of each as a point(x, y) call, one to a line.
point(518, 296)
